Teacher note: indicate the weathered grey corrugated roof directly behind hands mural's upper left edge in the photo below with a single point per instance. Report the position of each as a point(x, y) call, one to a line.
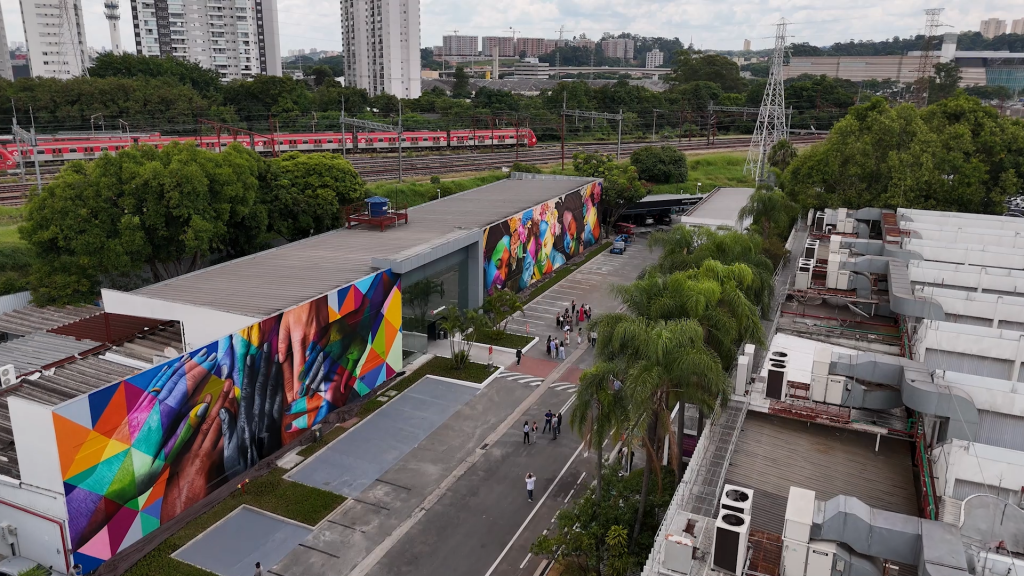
point(67, 383)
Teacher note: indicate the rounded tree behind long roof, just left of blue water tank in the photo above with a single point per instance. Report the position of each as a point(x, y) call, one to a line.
point(309, 191)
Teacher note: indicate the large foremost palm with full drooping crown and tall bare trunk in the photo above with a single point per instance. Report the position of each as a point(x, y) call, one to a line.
point(660, 362)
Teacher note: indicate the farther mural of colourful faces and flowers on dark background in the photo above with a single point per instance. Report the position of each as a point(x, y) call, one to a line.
point(524, 249)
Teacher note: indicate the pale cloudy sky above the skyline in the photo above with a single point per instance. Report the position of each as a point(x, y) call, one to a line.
point(711, 24)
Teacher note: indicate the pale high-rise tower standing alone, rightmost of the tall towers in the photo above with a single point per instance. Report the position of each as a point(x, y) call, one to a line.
point(382, 47)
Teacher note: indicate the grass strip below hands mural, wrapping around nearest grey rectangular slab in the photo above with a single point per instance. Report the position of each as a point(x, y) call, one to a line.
point(270, 492)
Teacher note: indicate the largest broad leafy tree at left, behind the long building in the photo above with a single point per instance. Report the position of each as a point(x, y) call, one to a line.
point(166, 211)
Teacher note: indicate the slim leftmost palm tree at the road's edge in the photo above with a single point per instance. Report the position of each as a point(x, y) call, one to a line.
point(600, 410)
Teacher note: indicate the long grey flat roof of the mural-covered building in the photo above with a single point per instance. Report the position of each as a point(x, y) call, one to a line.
point(267, 283)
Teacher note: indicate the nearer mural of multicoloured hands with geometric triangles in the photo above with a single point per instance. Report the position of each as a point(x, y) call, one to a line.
point(138, 454)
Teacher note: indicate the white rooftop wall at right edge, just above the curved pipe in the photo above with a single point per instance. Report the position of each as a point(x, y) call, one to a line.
point(961, 460)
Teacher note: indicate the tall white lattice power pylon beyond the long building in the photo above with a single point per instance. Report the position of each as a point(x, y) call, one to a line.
point(772, 127)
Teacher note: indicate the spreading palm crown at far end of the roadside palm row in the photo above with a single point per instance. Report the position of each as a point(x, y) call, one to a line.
point(686, 249)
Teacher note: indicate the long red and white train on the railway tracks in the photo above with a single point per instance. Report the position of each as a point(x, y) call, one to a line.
point(83, 148)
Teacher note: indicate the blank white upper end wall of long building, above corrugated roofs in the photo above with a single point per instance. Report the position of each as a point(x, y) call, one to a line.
point(199, 325)
